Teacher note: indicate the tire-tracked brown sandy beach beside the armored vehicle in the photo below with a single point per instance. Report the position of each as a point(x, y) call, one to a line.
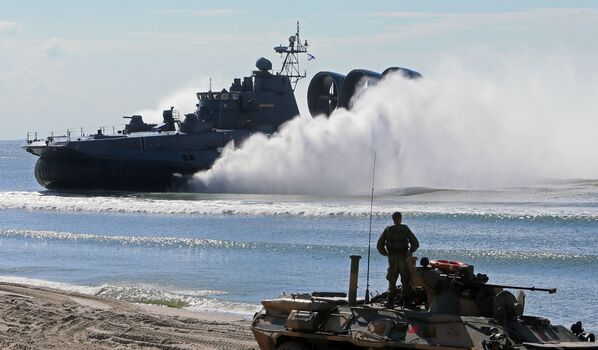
point(43, 318)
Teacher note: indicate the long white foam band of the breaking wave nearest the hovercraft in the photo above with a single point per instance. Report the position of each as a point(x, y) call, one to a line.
point(459, 204)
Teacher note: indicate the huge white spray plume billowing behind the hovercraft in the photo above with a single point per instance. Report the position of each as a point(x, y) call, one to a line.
point(468, 127)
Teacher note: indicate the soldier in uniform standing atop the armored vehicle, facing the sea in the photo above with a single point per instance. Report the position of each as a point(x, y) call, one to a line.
point(397, 242)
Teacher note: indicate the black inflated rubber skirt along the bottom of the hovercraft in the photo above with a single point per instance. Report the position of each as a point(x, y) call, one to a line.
point(109, 174)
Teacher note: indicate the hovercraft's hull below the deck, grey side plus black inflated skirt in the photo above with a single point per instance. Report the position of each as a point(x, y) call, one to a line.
point(65, 167)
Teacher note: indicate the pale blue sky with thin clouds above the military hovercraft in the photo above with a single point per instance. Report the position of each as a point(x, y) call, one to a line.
point(72, 64)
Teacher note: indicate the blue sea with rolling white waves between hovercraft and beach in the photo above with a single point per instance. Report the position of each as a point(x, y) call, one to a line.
point(226, 252)
